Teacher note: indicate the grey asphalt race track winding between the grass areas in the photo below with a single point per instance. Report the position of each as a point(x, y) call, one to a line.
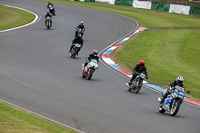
point(36, 73)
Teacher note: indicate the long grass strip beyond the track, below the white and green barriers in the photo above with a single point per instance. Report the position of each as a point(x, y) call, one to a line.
point(147, 18)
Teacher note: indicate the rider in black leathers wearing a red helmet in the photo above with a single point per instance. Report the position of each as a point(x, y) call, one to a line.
point(139, 68)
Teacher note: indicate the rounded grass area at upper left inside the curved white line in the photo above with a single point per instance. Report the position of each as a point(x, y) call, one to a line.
point(12, 17)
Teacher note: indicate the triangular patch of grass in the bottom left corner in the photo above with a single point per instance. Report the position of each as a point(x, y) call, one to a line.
point(16, 121)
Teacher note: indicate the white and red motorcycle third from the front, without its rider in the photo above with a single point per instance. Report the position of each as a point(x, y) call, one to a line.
point(89, 69)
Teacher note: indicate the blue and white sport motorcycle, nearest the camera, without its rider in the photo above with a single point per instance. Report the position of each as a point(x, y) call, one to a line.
point(173, 101)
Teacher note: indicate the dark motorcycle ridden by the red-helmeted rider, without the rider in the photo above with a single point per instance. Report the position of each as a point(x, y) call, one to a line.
point(136, 85)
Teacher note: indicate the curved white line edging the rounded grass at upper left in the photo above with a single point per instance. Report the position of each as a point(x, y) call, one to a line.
point(34, 21)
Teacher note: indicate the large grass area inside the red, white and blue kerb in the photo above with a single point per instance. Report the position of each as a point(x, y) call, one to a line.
point(168, 54)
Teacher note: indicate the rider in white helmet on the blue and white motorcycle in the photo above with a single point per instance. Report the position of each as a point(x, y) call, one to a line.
point(179, 81)
